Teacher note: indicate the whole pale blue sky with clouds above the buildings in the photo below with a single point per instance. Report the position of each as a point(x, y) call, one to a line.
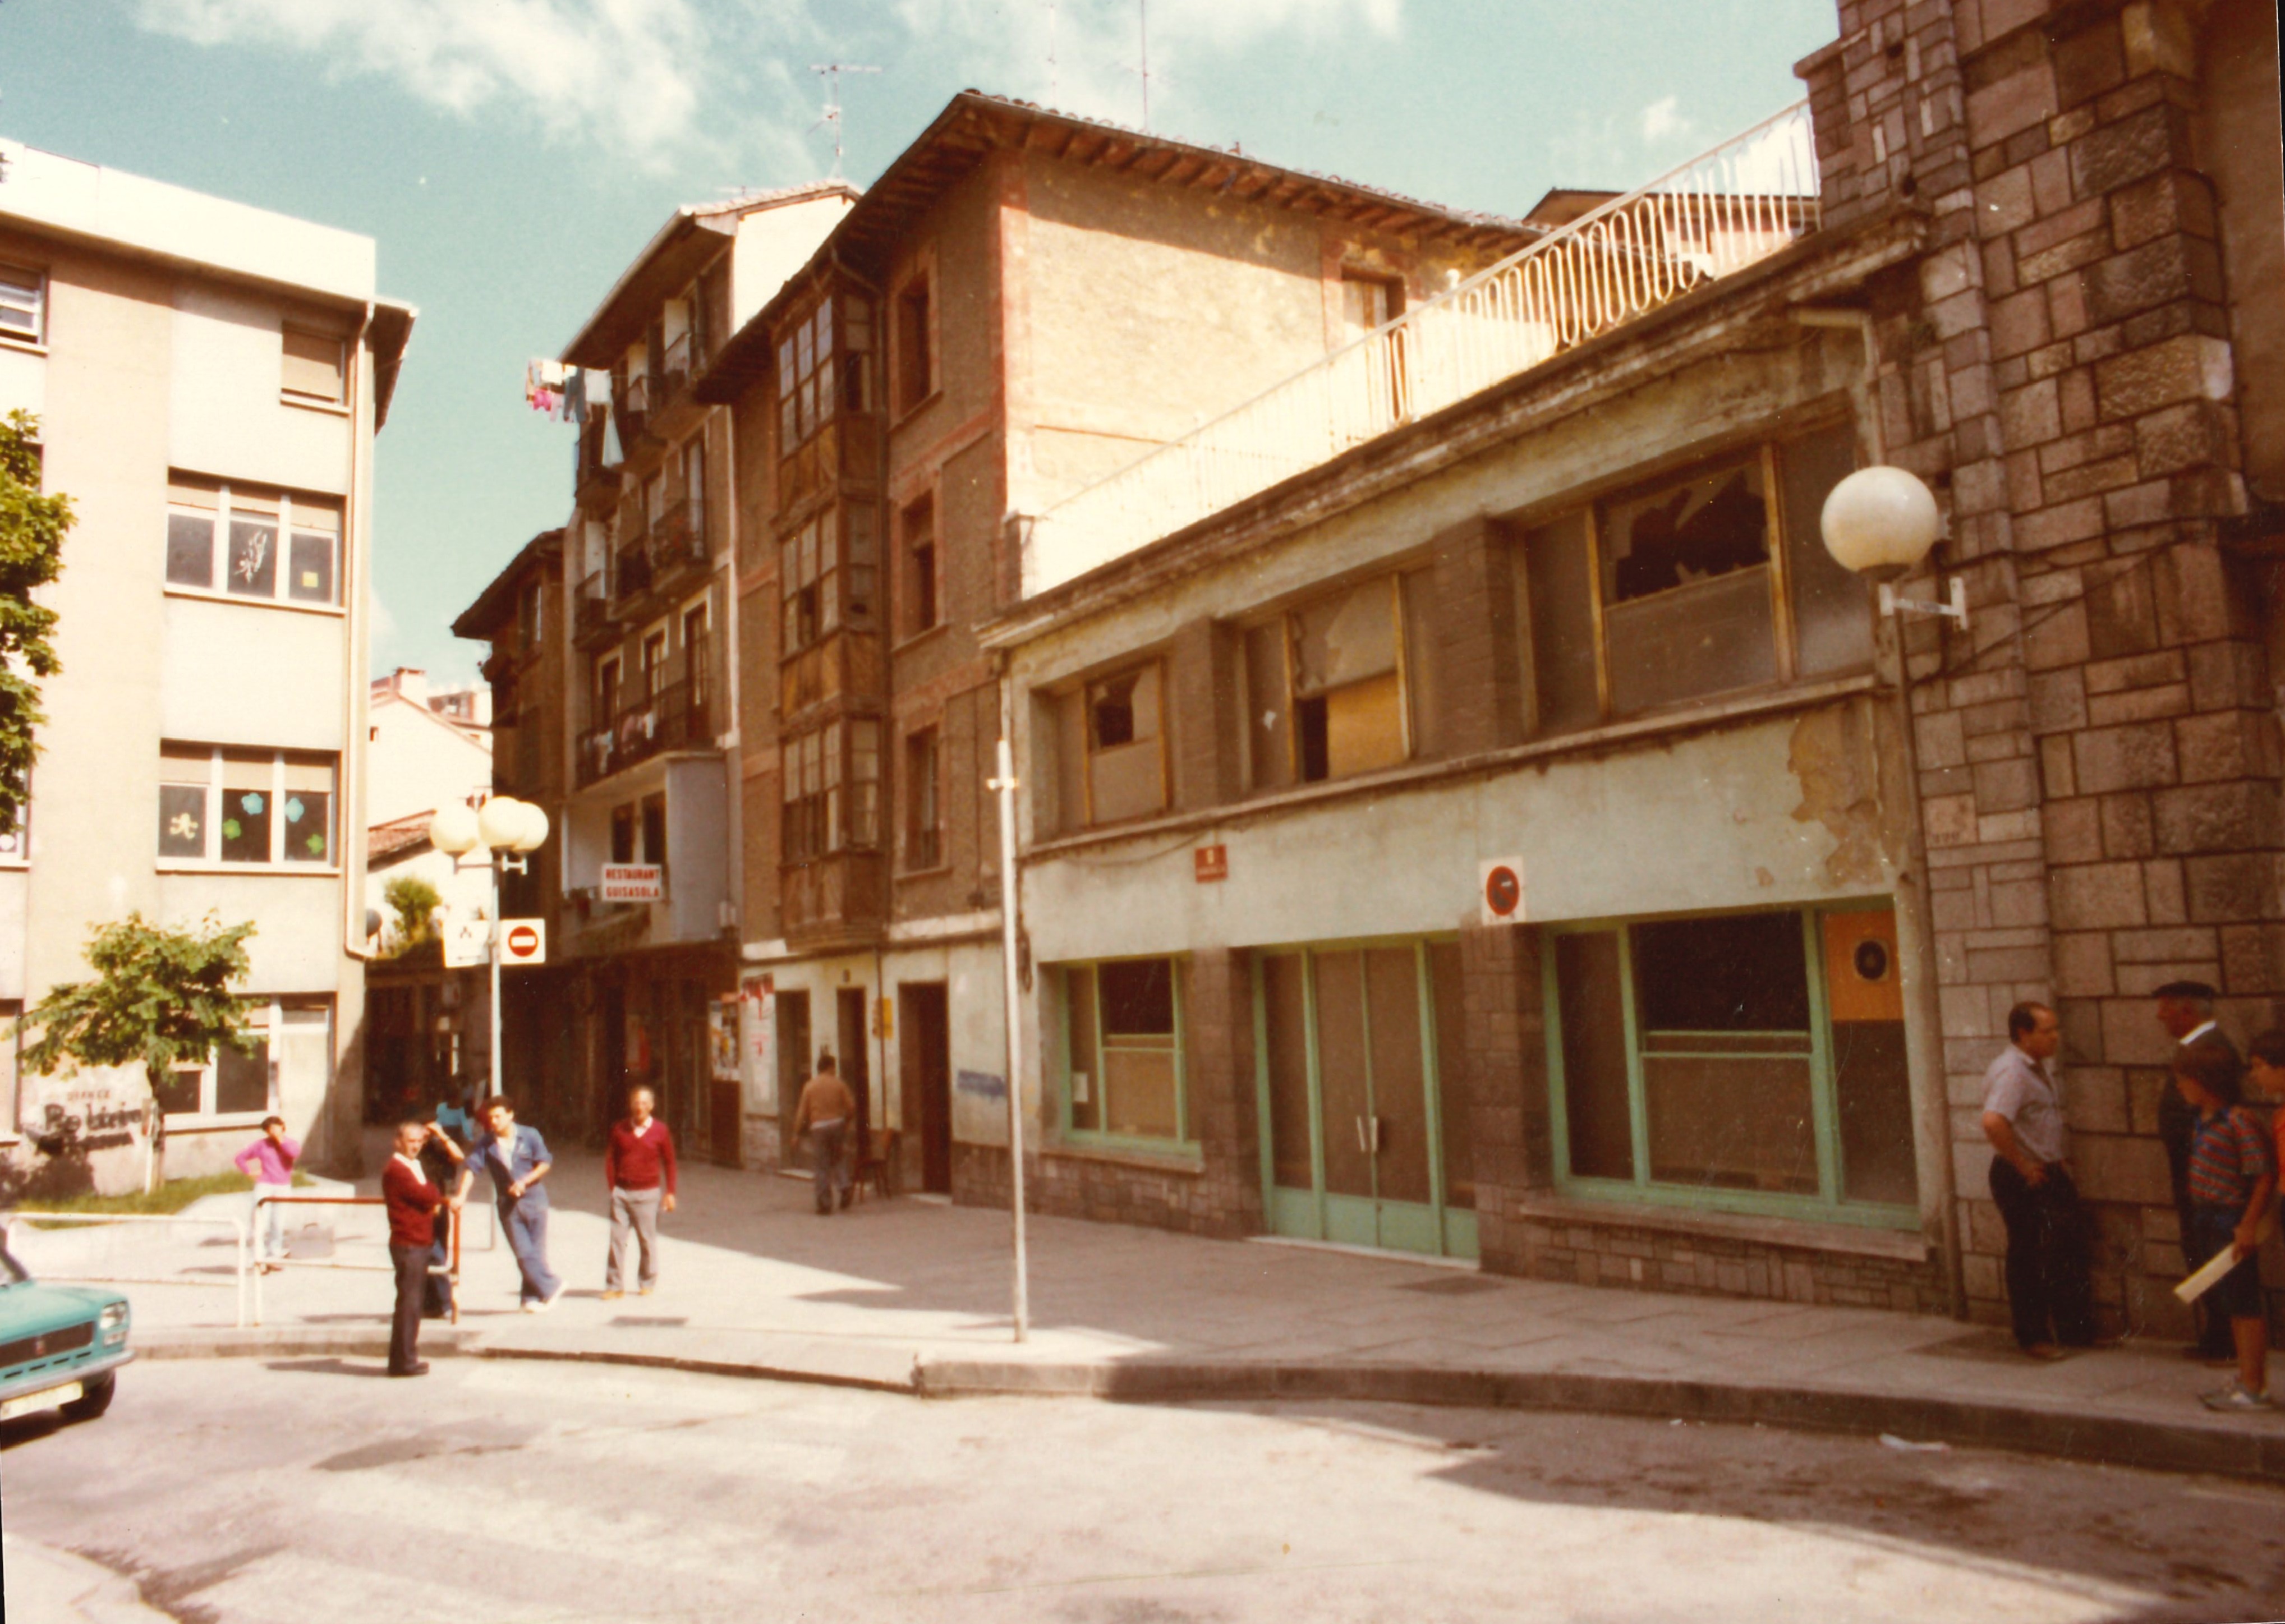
point(511, 156)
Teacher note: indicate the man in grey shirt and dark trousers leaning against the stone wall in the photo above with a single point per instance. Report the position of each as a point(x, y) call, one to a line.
point(2046, 1228)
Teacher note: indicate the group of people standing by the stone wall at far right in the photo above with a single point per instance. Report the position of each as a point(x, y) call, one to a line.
point(2224, 1168)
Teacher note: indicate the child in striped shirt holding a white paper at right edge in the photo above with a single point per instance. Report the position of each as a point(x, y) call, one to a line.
point(2231, 1180)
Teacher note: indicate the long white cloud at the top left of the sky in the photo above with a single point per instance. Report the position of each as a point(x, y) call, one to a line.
point(625, 65)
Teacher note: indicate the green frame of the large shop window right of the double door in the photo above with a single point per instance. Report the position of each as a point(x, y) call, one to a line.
point(1710, 1052)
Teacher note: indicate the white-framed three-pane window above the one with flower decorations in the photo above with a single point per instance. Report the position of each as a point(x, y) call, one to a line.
point(252, 542)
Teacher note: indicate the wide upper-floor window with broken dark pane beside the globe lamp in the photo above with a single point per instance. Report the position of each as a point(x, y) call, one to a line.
point(1692, 586)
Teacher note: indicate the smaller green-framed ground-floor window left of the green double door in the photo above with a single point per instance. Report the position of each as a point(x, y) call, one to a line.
point(1089, 1050)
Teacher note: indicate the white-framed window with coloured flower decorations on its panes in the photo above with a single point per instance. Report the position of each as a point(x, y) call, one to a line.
point(223, 805)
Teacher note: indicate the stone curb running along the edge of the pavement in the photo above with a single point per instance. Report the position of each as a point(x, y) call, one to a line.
point(2254, 1452)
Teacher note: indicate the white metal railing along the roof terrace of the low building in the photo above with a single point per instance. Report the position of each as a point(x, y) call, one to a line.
point(1710, 218)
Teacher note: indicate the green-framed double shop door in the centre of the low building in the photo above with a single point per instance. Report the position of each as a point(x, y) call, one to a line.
point(1361, 1143)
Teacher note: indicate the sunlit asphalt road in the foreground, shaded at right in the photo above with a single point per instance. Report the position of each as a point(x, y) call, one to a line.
point(499, 1490)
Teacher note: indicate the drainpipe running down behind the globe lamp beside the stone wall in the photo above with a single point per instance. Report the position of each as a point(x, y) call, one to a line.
point(1916, 913)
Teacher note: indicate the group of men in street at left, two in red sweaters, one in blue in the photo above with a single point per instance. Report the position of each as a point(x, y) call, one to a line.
point(426, 1184)
